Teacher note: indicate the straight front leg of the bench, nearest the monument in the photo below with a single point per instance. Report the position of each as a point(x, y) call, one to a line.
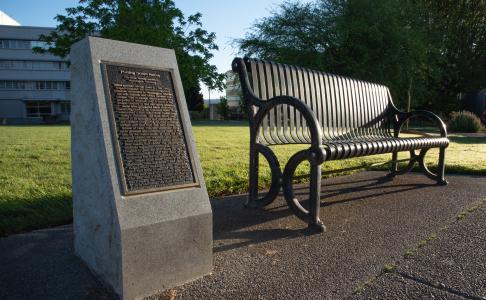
point(315, 223)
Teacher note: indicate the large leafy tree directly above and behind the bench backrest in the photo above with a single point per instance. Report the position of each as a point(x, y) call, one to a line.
point(373, 40)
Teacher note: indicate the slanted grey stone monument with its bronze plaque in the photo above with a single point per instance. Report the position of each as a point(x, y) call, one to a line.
point(142, 217)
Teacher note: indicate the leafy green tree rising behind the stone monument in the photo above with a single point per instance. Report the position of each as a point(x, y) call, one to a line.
point(151, 22)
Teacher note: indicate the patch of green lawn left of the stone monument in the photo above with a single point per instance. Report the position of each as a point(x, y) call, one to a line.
point(35, 177)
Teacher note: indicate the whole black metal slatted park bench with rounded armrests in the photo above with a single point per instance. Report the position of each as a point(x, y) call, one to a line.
point(338, 117)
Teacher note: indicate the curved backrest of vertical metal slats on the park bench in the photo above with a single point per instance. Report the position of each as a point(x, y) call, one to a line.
point(345, 108)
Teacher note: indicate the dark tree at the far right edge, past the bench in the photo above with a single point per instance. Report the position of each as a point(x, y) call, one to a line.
point(459, 29)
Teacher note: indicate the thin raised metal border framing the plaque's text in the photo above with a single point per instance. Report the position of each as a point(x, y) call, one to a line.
point(114, 135)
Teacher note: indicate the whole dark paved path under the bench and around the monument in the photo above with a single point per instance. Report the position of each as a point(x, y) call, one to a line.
point(371, 223)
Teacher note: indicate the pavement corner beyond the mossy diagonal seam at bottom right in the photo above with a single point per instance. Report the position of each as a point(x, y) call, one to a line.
point(449, 264)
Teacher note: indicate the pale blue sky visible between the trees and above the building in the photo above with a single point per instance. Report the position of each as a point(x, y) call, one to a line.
point(229, 19)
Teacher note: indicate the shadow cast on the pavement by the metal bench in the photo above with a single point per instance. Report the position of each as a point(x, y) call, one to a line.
point(235, 226)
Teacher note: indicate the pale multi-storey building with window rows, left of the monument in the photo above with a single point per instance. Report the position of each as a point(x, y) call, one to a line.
point(34, 88)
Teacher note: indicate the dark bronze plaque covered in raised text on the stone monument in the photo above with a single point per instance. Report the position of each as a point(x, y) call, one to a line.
point(146, 123)
